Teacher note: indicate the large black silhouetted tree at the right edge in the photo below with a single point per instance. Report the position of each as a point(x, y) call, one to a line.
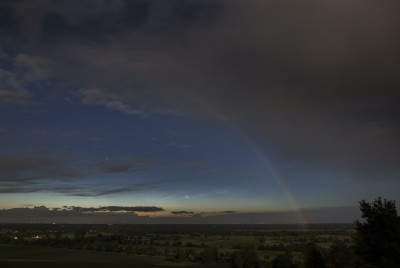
point(377, 240)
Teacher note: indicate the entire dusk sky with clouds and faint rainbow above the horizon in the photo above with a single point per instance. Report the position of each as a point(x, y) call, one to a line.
point(197, 111)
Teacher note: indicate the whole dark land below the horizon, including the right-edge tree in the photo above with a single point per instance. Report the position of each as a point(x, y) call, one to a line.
point(372, 242)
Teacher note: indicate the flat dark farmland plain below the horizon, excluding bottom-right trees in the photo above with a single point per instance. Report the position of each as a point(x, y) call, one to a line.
point(41, 245)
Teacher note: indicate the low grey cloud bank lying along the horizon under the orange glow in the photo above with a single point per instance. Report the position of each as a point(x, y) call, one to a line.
point(118, 215)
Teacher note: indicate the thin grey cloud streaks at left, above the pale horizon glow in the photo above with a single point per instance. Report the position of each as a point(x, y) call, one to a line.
point(45, 173)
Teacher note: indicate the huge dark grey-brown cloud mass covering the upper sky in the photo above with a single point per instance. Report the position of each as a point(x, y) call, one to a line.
point(314, 82)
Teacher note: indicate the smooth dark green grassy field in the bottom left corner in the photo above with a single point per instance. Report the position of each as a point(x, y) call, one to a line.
point(20, 256)
